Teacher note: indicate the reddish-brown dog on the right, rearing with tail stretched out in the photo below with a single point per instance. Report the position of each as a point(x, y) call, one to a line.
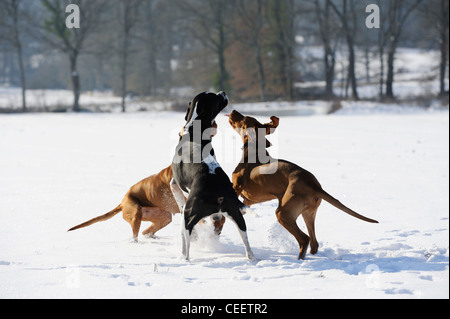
point(297, 190)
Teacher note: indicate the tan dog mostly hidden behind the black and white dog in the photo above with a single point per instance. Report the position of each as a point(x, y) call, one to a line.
point(150, 200)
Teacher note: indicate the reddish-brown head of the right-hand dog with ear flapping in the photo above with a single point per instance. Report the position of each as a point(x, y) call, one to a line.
point(250, 129)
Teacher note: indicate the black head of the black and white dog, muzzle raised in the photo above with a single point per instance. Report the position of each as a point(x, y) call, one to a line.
point(204, 108)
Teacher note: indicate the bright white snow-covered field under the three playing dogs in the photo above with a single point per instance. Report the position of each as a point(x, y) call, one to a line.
point(391, 164)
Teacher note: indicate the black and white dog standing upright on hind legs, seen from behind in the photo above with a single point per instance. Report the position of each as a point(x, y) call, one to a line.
point(198, 176)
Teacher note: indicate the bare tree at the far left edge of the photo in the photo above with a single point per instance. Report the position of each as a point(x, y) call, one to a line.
point(9, 22)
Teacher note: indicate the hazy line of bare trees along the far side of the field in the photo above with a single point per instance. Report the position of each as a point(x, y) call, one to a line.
point(254, 49)
